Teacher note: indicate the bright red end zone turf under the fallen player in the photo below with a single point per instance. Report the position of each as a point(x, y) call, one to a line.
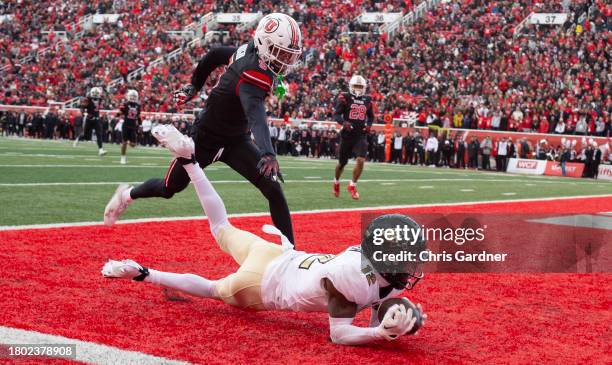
point(52, 284)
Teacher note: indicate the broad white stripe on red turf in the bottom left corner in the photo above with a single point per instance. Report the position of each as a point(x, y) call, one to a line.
point(88, 352)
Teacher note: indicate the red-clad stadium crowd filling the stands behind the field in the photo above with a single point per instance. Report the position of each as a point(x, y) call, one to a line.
point(459, 66)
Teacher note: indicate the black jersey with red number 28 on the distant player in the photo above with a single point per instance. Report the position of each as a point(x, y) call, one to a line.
point(356, 110)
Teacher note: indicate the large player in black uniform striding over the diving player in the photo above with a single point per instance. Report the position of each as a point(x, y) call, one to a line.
point(234, 109)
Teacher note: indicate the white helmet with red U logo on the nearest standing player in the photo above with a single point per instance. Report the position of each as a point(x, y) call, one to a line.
point(279, 42)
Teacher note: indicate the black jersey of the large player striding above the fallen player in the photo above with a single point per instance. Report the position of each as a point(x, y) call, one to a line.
point(235, 105)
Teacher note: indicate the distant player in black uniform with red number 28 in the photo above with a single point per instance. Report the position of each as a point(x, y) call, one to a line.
point(355, 113)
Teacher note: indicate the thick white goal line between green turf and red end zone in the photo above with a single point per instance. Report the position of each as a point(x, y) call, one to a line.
point(315, 211)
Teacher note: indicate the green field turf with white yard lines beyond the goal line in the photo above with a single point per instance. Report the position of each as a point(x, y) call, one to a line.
point(52, 182)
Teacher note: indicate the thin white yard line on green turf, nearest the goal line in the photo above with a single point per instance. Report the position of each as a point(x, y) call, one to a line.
point(309, 181)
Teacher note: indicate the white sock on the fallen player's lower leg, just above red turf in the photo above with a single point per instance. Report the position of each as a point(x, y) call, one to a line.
point(188, 283)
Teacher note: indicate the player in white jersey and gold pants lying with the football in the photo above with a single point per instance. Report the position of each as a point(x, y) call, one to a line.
point(277, 277)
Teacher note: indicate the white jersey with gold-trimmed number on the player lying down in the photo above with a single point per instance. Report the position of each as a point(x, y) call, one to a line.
point(294, 281)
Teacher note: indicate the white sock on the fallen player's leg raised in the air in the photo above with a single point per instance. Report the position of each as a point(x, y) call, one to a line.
point(211, 201)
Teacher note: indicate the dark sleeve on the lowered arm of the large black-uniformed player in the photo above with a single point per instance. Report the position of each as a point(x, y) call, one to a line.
point(252, 100)
